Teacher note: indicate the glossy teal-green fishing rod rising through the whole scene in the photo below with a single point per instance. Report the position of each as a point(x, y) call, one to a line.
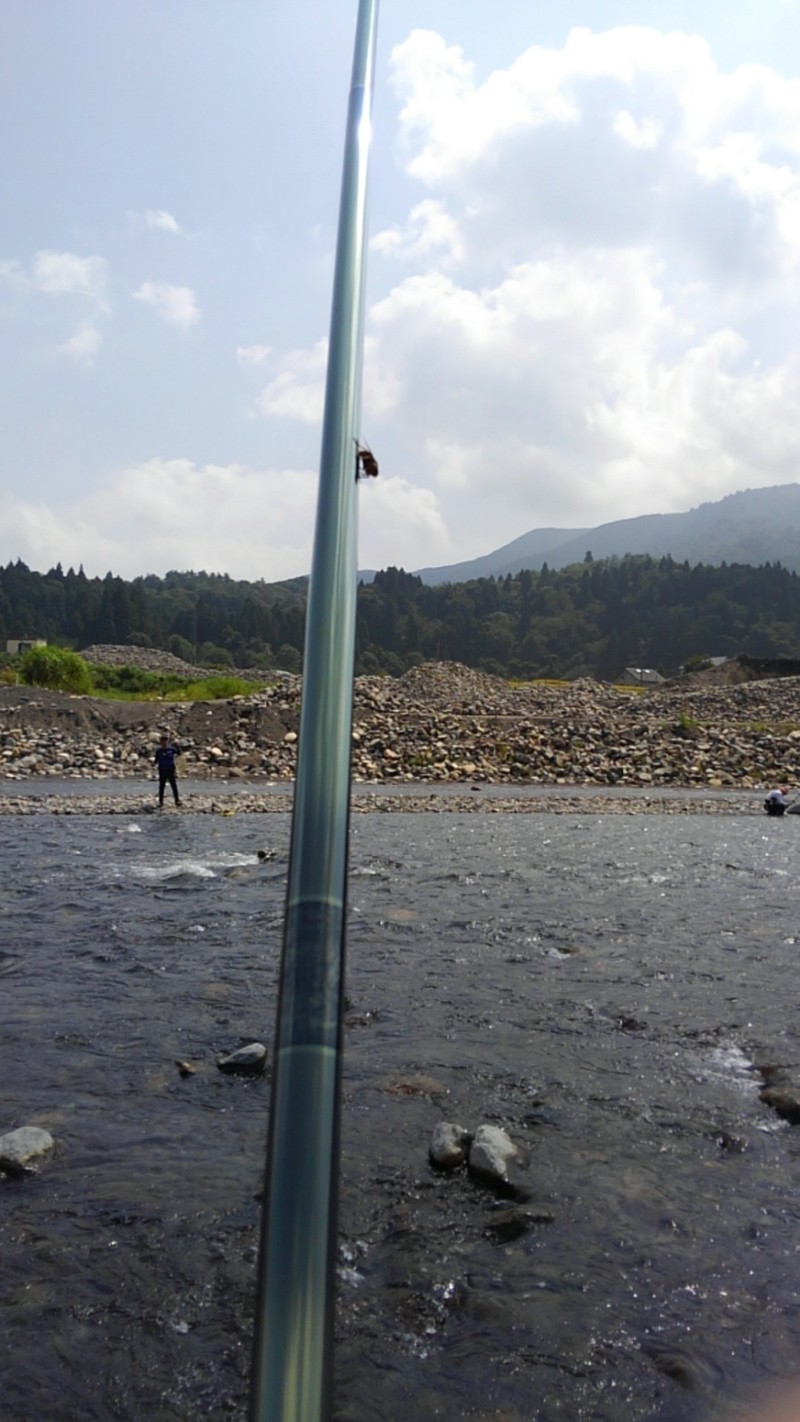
point(293, 1337)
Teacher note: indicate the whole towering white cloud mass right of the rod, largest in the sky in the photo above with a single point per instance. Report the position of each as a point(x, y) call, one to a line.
point(610, 326)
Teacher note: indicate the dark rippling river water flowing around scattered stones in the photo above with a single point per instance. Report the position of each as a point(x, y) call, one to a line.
point(600, 986)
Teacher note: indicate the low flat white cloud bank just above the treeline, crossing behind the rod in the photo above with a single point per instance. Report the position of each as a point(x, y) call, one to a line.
point(173, 514)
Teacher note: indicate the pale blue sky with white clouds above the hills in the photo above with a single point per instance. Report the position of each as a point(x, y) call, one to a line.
point(583, 296)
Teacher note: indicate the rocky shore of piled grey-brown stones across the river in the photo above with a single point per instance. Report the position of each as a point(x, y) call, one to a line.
point(440, 725)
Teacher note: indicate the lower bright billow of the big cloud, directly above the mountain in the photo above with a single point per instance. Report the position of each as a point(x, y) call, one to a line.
point(573, 393)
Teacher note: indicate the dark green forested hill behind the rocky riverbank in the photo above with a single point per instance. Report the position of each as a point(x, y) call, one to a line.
point(592, 619)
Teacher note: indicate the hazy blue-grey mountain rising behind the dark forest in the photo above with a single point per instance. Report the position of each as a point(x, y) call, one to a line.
point(754, 527)
